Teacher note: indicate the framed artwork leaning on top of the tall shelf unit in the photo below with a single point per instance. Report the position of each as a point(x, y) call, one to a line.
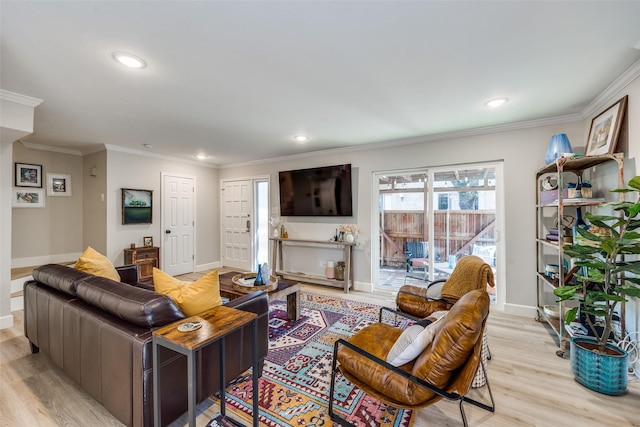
point(605, 129)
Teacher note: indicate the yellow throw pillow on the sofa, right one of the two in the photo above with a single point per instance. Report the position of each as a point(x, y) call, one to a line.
point(191, 297)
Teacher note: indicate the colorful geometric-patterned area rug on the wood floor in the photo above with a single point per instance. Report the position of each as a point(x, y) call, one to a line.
point(294, 387)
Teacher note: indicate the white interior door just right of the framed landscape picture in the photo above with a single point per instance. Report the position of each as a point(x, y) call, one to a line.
point(178, 224)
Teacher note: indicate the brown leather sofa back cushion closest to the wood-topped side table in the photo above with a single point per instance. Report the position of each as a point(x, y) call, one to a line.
point(135, 305)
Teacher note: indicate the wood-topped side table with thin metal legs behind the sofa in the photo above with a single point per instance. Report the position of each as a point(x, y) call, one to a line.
point(217, 323)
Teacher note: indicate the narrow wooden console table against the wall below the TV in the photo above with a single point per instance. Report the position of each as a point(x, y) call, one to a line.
point(278, 264)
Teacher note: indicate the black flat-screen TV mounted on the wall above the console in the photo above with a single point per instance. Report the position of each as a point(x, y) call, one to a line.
point(324, 191)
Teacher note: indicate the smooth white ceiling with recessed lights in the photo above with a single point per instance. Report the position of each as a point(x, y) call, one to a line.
point(236, 80)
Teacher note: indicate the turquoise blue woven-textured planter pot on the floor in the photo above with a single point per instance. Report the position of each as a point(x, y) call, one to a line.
point(604, 373)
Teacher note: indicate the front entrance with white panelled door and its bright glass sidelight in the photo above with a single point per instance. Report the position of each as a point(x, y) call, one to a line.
point(245, 223)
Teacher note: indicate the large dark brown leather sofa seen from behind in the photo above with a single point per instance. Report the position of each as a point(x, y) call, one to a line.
point(99, 332)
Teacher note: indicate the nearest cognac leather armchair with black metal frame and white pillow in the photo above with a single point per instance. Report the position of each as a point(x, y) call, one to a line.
point(444, 369)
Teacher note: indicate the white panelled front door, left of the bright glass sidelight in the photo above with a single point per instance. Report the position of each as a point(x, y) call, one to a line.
point(237, 224)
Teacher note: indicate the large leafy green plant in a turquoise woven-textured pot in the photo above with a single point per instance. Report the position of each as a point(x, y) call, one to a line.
point(610, 247)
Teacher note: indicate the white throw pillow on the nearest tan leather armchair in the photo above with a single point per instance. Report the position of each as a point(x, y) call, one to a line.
point(413, 341)
